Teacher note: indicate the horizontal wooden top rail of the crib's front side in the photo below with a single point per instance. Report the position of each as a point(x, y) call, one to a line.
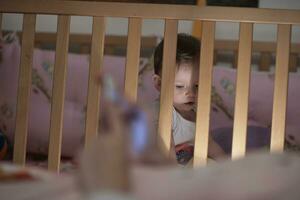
point(152, 11)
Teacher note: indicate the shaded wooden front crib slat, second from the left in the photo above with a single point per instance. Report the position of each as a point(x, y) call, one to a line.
point(58, 92)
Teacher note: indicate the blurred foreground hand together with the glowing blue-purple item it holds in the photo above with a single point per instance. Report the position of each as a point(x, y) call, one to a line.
point(123, 140)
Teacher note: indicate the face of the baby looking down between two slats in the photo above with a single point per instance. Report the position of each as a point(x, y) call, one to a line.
point(186, 87)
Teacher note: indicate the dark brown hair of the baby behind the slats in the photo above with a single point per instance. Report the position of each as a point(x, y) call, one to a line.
point(188, 51)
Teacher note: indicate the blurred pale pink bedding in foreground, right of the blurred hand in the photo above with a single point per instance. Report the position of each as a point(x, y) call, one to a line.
point(258, 176)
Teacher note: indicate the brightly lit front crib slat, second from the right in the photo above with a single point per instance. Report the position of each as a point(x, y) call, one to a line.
point(242, 91)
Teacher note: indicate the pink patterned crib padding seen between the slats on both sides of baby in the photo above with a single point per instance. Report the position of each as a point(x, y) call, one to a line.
point(260, 102)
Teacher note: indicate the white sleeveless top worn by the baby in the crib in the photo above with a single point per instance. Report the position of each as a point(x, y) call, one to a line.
point(183, 130)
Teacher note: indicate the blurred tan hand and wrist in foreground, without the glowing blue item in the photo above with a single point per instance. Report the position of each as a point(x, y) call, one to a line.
point(104, 166)
